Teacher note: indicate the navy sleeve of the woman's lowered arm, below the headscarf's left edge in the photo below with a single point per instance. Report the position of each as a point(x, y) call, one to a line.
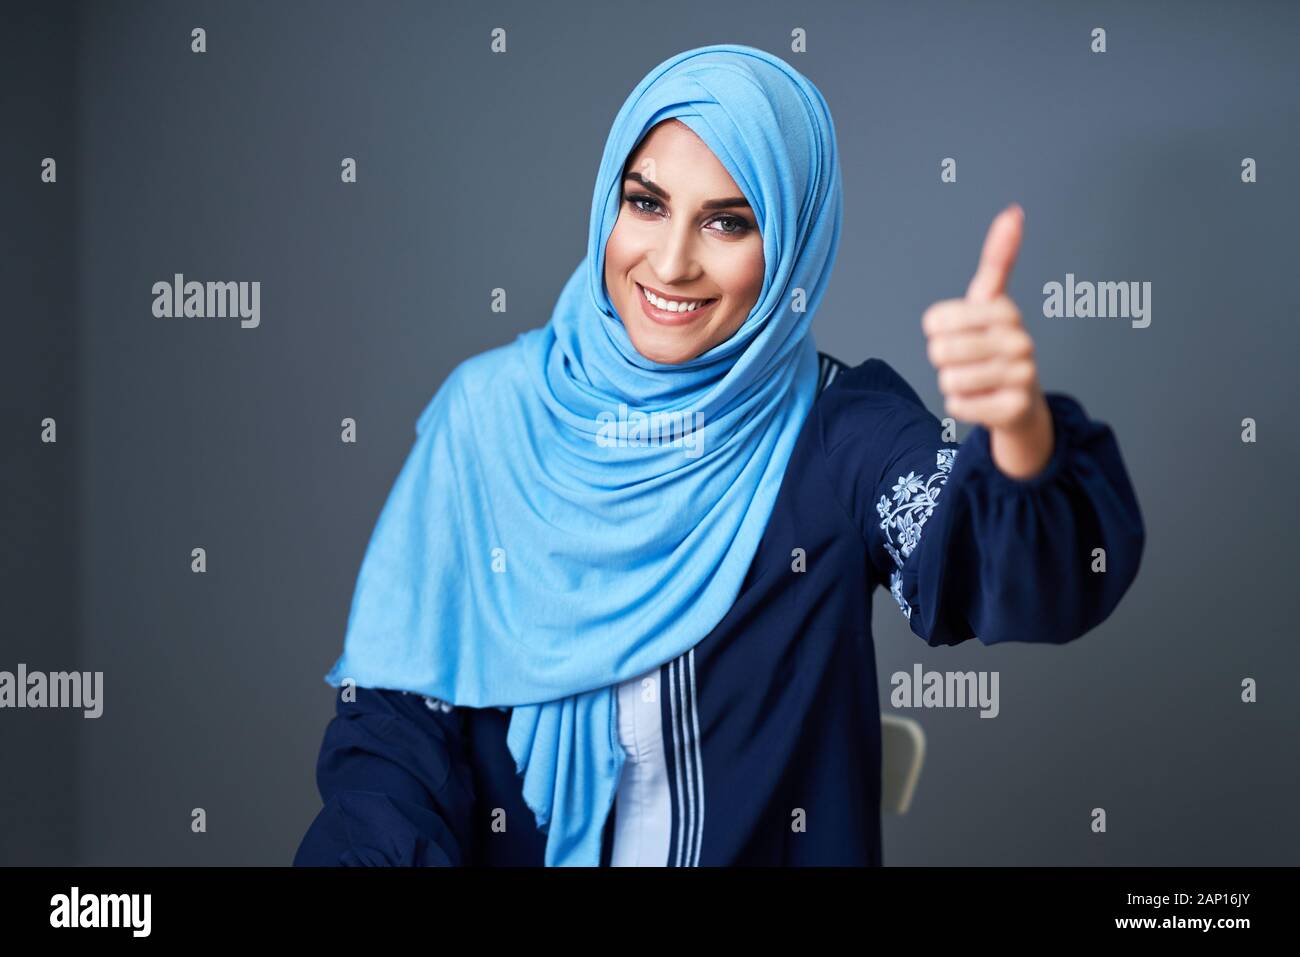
point(397, 787)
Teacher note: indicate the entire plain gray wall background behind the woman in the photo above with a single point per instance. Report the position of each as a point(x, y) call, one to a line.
point(476, 172)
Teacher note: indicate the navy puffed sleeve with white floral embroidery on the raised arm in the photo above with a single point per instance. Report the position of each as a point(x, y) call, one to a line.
point(968, 551)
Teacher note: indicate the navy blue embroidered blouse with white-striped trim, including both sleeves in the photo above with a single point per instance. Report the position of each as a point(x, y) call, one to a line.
point(772, 725)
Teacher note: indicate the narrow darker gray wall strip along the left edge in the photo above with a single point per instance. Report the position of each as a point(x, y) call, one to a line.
point(40, 584)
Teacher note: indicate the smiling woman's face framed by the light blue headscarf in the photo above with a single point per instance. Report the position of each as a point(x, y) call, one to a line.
point(687, 235)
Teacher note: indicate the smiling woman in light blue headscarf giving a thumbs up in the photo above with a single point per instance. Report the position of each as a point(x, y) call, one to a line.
point(617, 608)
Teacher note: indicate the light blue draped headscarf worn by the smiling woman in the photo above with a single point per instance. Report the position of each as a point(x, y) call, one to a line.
point(530, 558)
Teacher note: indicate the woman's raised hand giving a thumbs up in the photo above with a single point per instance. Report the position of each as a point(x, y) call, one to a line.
point(986, 360)
